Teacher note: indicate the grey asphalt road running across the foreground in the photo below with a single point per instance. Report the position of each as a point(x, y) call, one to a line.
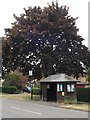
point(21, 109)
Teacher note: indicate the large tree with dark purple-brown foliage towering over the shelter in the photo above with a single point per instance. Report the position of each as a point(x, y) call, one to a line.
point(46, 41)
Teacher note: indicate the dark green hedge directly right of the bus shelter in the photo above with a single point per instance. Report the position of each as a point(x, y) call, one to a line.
point(83, 94)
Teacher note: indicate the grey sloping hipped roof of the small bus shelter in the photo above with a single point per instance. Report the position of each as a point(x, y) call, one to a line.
point(59, 78)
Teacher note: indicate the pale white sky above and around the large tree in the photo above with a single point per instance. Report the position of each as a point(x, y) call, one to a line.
point(77, 8)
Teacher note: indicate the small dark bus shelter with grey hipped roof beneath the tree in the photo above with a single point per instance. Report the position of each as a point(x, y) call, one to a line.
point(58, 87)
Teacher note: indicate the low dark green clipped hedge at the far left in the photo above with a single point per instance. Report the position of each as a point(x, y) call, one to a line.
point(9, 89)
